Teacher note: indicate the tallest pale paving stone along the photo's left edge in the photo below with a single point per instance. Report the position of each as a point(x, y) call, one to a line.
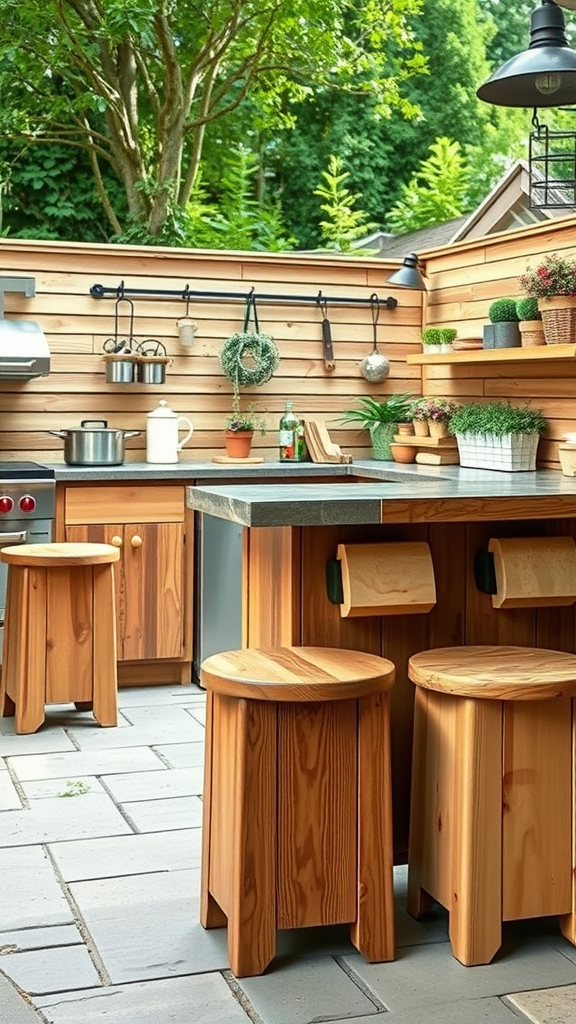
point(31, 894)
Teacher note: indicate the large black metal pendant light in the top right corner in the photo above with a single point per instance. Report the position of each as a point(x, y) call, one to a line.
point(545, 75)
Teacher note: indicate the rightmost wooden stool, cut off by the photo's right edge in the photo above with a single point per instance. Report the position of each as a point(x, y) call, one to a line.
point(492, 819)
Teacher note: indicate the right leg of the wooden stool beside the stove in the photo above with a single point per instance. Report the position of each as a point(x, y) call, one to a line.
point(105, 681)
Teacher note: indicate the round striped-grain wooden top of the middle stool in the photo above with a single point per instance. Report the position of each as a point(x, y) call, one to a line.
point(298, 674)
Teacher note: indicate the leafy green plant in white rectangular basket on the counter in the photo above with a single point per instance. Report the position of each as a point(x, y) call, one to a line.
point(498, 436)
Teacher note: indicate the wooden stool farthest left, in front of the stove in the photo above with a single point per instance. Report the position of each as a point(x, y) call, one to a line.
point(60, 638)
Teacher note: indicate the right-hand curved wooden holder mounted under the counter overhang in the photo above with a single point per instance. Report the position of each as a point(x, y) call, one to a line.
point(533, 572)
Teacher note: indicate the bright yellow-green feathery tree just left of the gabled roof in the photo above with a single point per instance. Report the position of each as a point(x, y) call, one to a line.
point(436, 193)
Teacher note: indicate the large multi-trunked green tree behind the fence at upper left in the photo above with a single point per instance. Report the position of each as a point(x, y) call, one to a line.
point(139, 83)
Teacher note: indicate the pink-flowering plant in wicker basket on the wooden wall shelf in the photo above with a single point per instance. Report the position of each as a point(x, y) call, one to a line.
point(553, 283)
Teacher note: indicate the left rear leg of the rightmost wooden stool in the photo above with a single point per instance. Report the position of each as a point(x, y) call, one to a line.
point(420, 903)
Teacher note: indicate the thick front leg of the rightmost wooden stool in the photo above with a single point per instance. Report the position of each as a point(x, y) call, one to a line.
point(476, 909)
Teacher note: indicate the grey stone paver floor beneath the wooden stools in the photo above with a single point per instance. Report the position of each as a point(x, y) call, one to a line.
point(100, 860)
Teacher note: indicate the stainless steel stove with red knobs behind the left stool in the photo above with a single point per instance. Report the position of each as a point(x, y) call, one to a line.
point(27, 514)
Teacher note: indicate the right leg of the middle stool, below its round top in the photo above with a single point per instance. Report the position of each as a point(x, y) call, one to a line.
point(374, 932)
